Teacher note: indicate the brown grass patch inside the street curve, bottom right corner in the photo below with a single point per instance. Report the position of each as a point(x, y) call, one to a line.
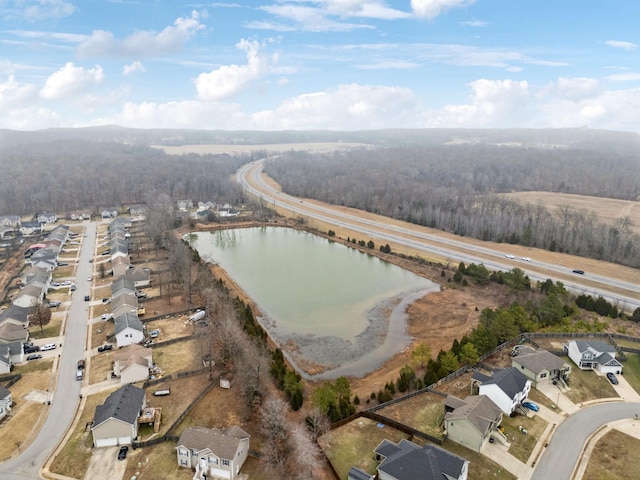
point(614, 458)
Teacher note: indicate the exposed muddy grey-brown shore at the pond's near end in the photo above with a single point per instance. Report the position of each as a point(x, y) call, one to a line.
point(326, 357)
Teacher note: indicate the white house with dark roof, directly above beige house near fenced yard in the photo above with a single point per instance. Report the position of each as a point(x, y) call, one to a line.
point(506, 387)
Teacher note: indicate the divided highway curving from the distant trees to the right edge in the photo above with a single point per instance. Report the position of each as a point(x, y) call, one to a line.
point(624, 294)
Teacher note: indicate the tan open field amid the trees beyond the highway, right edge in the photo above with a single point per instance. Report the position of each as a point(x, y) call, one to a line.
point(607, 210)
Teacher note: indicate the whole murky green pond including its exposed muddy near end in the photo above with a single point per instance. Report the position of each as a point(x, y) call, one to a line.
point(341, 310)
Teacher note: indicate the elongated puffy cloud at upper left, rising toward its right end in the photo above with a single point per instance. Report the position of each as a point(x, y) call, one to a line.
point(144, 43)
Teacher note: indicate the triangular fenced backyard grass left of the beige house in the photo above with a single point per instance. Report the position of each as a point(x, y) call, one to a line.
point(423, 412)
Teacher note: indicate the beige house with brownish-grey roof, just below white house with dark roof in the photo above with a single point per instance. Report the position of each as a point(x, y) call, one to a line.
point(472, 421)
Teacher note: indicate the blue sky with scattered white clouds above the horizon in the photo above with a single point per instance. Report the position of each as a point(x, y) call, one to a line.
point(313, 64)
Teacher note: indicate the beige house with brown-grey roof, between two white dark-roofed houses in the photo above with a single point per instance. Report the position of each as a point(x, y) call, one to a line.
point(540, 366)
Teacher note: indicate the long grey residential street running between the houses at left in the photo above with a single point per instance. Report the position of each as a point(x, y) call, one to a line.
point(66, 396)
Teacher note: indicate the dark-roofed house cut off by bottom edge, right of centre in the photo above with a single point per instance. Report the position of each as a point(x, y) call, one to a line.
point(407, 461)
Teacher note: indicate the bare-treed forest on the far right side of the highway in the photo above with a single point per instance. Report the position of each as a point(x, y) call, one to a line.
point(455, 188)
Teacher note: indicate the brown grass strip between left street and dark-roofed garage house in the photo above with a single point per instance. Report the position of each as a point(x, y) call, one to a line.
point(73, 460)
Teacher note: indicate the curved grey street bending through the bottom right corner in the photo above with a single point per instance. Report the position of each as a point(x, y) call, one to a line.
point(565, 448)
